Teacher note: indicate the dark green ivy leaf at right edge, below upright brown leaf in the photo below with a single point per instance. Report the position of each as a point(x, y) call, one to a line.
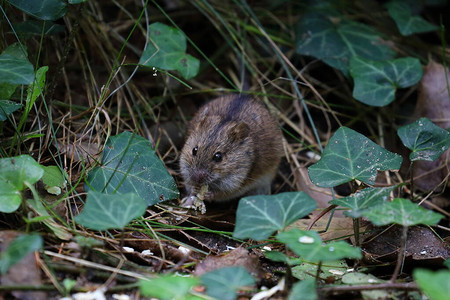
point(426, 140)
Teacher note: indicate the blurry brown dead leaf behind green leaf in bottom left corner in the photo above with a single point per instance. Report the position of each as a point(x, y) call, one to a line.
point(25, 272)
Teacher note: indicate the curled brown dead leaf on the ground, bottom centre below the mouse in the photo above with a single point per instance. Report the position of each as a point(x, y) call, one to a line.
point(238, 257)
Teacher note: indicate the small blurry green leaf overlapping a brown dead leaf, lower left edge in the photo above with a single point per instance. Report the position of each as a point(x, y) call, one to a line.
point(18, 249)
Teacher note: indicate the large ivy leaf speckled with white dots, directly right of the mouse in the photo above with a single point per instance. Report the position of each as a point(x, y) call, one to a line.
point(349, 155)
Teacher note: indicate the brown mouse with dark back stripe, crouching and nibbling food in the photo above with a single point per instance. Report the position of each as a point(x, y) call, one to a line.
point(233, 148)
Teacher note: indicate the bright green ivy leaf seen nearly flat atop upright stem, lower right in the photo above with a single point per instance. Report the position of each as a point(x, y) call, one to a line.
point(403, 212)
